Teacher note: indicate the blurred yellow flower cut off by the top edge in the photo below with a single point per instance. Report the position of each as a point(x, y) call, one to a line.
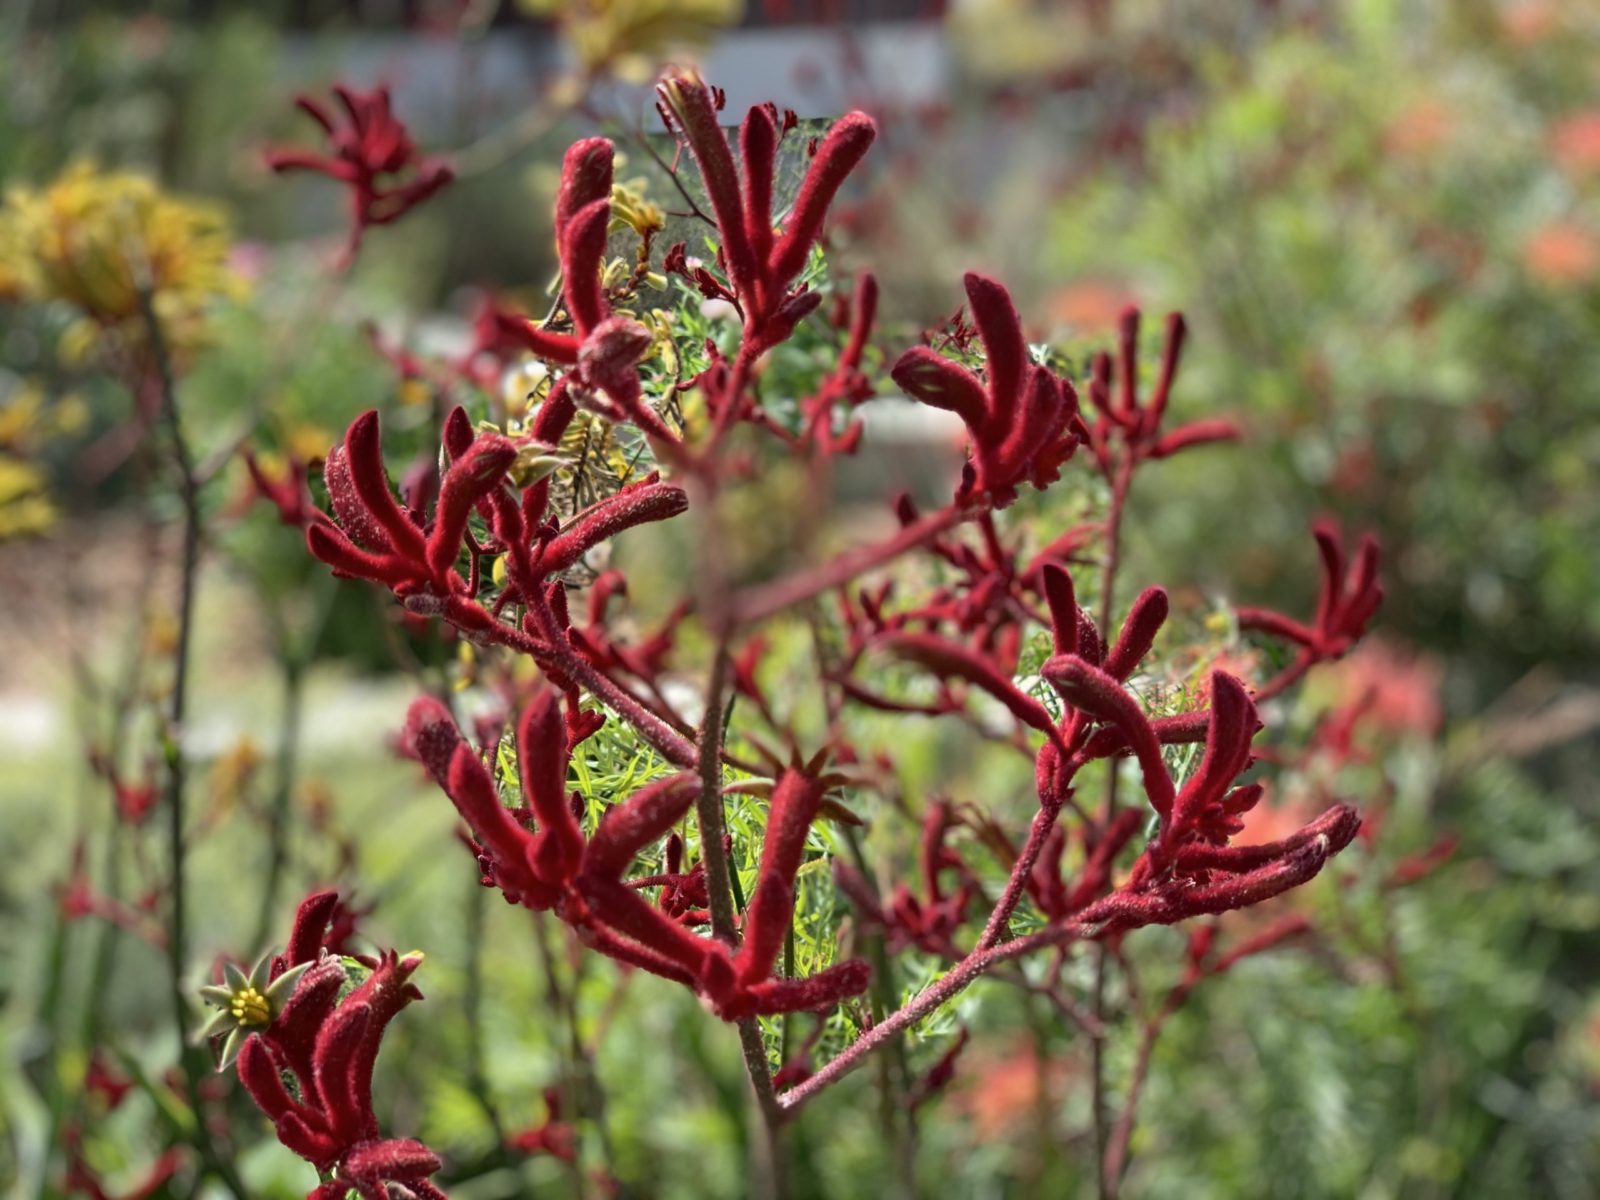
point(633, 38)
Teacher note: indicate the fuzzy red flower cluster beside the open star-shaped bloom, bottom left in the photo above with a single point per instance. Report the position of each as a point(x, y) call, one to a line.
point(327, 1049)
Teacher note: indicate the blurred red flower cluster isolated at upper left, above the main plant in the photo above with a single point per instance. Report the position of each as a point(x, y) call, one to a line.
point(370, 153)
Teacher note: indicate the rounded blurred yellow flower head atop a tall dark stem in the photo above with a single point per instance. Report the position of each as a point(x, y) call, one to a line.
point(95, 239)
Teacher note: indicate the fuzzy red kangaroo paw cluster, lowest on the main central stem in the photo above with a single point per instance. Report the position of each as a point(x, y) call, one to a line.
point(554, 866)
